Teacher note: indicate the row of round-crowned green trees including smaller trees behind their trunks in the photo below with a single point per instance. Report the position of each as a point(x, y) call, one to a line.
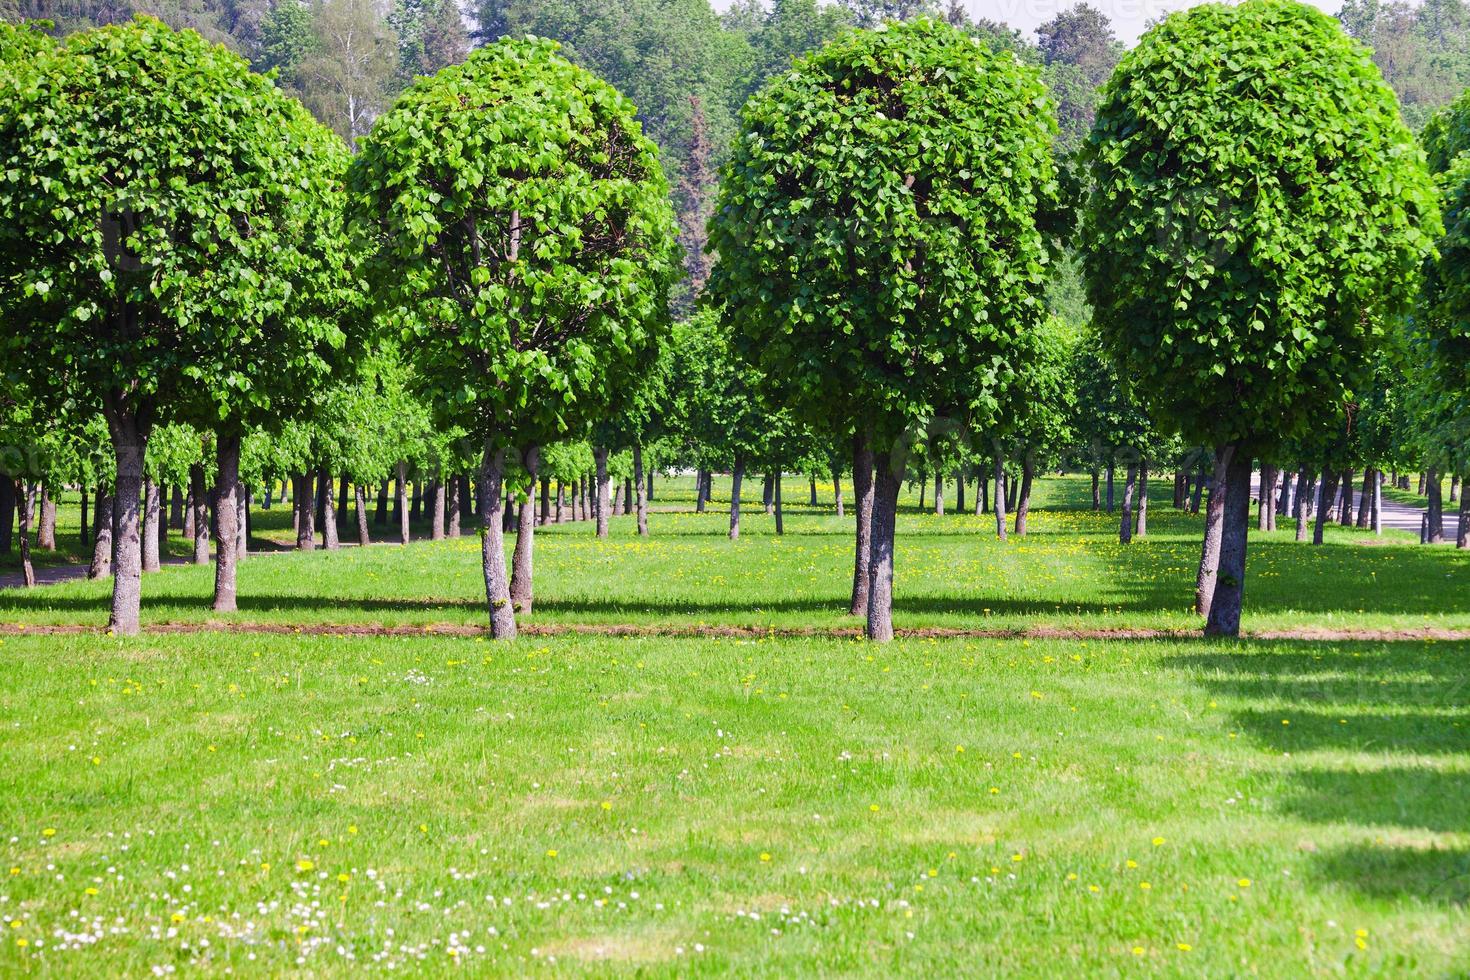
point(493, 273)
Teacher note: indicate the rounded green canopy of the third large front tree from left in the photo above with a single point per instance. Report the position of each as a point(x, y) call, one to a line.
point(877, 224)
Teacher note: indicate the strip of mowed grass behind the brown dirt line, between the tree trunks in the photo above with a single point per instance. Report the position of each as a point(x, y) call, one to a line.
point(952, 572)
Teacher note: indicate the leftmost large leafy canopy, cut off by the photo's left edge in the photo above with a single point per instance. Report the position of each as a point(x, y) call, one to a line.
point(168, 223)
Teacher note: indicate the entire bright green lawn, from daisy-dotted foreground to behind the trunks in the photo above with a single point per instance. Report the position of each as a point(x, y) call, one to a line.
point(755, 806)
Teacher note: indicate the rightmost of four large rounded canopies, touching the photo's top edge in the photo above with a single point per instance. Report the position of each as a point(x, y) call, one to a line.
point(1258, 211)
